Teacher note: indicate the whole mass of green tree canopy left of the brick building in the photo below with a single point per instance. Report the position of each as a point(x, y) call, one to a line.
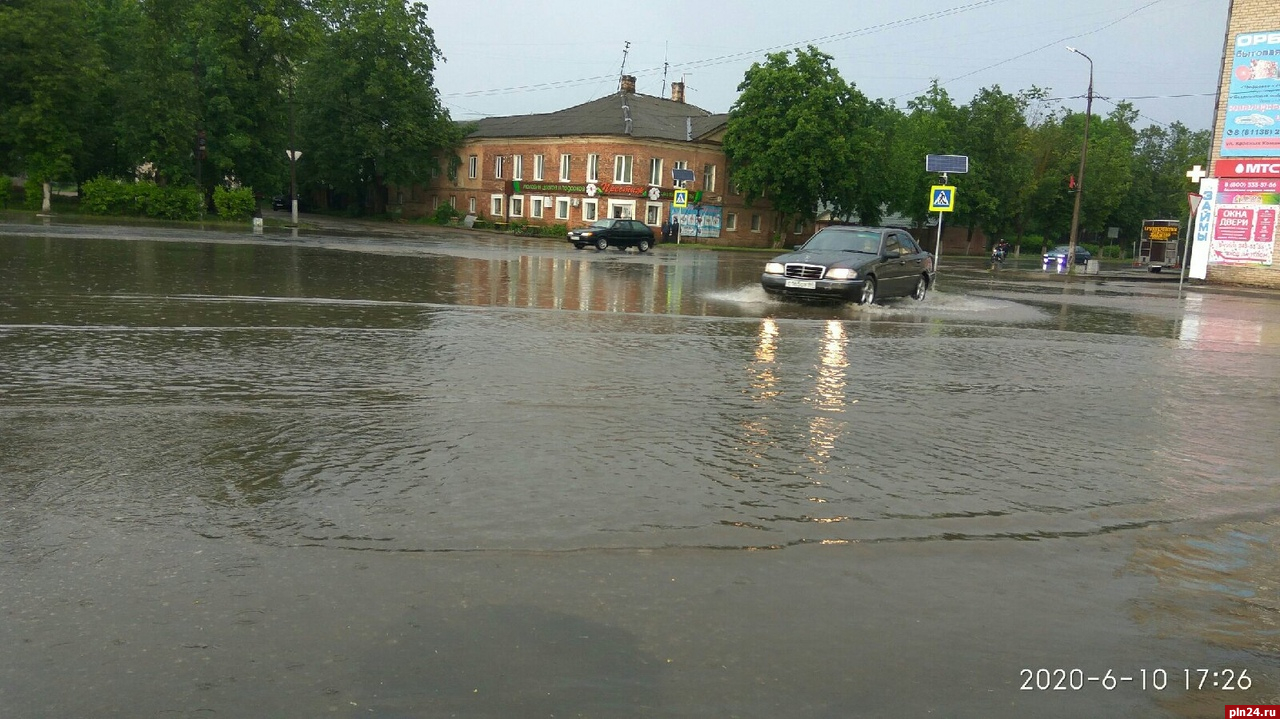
point(203, 90)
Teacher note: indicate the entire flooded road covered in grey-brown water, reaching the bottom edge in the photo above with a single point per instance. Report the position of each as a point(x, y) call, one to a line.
point(399, 473)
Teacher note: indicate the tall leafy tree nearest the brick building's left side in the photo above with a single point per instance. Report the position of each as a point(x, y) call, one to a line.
point(368, 111)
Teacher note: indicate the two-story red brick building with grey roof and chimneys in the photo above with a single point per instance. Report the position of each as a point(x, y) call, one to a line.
point(616, 157)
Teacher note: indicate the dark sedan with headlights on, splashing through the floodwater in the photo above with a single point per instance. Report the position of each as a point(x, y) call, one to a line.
point(852, 263)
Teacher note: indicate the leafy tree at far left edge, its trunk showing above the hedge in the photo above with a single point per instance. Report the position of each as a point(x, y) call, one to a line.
point(51, 65)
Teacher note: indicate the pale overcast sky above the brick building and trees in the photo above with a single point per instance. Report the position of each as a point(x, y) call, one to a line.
point(520, 57)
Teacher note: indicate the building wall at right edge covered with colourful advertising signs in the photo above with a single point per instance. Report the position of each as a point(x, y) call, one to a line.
point(1246, 153)
